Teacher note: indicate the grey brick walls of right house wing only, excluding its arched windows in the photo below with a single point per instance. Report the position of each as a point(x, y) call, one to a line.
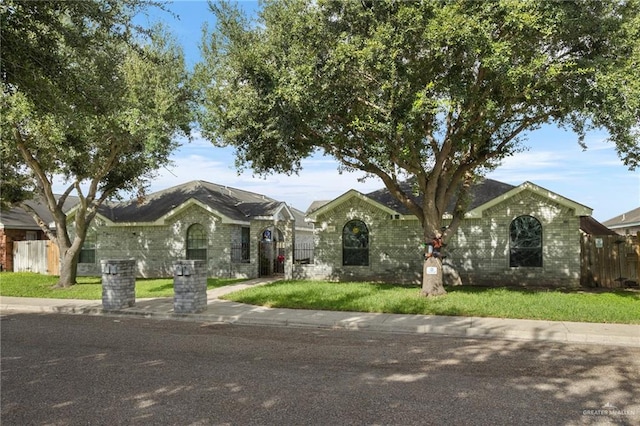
point(478, 252)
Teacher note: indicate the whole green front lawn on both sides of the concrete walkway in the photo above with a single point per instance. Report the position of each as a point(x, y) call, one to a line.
point(615, 306)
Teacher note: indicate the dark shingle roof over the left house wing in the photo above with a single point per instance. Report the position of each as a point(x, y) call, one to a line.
point(235, 204)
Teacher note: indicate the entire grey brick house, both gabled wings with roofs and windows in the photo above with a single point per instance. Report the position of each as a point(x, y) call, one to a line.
point(353, 237)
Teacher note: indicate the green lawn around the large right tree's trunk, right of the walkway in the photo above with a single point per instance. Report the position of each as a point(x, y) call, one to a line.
point(615, 306)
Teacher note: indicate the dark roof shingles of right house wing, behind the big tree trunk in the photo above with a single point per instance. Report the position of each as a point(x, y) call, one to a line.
point(481, 192)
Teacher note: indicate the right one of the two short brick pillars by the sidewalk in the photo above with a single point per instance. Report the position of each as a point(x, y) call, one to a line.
point(189, 286)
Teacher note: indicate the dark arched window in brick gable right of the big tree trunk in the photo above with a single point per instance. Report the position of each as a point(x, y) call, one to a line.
point(525, 240)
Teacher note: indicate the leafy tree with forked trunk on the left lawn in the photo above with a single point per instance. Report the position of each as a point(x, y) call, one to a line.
point(89, 97)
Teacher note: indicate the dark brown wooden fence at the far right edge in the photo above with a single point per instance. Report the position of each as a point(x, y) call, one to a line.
point(610, 261)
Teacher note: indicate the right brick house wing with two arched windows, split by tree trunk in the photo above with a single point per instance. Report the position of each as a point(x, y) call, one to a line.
point(484, 251)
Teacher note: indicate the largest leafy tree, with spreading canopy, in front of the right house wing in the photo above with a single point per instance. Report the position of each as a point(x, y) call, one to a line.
point(438, 92)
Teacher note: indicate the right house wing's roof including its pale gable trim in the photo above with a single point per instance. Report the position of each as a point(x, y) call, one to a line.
point(484, 194)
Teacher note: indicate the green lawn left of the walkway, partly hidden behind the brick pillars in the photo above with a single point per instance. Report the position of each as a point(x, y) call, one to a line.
point(26, 284)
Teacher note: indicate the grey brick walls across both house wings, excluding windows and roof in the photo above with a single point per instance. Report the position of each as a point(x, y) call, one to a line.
point(479, 251)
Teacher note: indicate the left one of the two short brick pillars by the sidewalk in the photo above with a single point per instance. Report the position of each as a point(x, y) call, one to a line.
point(118, 283)
